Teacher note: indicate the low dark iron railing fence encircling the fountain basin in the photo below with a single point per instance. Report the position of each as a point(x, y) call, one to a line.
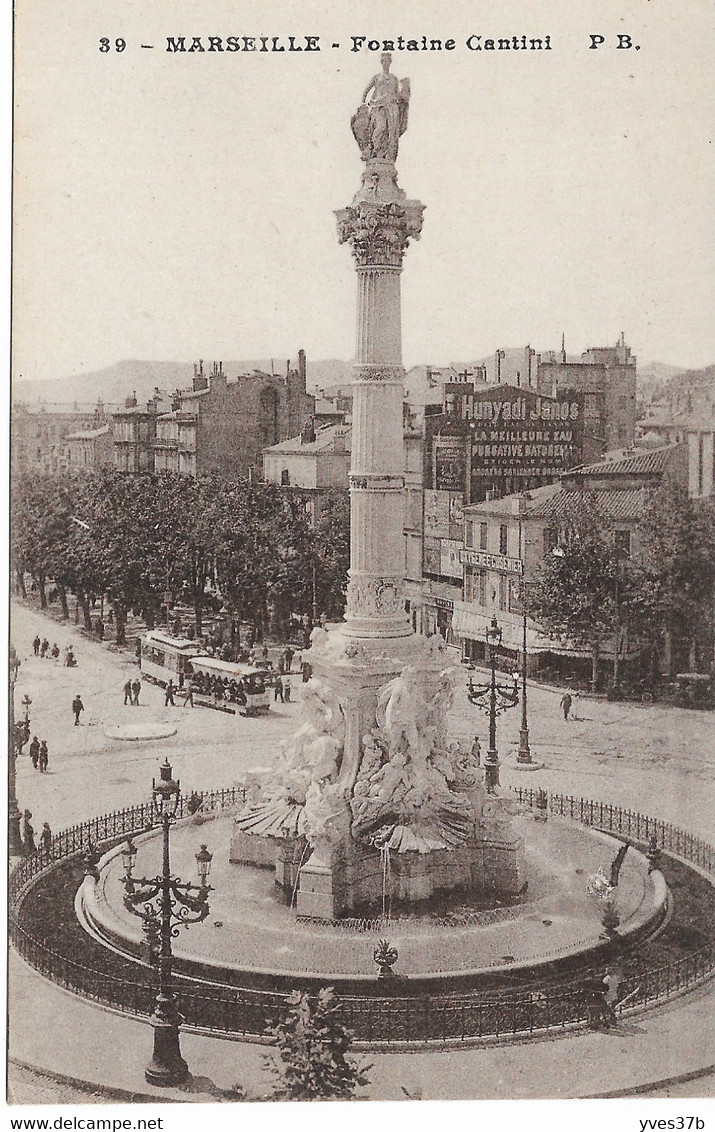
point(401, 1018)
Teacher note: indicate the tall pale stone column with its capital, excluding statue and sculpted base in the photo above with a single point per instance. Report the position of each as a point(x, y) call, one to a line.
point(378, 226)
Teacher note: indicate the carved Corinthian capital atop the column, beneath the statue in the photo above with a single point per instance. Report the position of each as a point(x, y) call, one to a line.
point(380, 234)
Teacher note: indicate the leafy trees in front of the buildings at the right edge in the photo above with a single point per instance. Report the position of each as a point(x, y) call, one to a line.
point(592, 591)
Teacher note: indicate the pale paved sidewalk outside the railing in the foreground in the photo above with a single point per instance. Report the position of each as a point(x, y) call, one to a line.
point(109, 1053)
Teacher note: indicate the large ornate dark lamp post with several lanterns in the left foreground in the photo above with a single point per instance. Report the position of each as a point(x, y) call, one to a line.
point(166, 905)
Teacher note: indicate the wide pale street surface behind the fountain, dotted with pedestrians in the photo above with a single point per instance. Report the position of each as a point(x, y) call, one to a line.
point(654, 759)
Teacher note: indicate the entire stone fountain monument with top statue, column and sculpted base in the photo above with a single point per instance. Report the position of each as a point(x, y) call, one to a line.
point(371, 778)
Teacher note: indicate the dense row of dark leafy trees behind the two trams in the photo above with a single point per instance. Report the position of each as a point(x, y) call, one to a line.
point(134, 539)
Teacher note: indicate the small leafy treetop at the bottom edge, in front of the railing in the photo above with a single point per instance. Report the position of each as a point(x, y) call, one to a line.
point(313, 1058)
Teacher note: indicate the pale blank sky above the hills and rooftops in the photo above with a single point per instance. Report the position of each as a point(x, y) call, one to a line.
point(179, 207)
